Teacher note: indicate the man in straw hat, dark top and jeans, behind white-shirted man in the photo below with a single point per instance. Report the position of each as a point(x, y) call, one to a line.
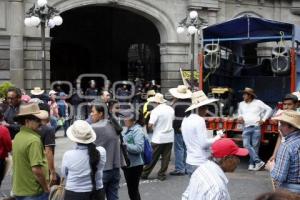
point(180, 103)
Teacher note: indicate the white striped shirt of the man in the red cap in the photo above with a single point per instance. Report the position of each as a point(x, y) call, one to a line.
point(208, 182)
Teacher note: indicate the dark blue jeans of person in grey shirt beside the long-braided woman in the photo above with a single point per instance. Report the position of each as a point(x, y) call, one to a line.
point(111, 181)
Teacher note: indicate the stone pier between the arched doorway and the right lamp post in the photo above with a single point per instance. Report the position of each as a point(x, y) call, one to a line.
point(173, 57)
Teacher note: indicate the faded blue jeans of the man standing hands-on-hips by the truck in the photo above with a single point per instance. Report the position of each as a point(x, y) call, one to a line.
point(251, 141)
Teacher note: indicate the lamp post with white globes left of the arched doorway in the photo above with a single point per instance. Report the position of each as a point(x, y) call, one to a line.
point(41, 14)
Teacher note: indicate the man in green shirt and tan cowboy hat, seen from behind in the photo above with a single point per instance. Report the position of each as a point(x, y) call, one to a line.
point(30, 170)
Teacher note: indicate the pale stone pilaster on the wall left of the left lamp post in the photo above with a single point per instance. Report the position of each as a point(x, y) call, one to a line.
point(16, 43)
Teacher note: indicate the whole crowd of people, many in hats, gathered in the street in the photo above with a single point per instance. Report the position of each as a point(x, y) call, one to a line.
point(113, 137)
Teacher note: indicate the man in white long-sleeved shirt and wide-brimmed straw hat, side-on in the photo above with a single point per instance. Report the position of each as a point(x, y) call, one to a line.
point(194, 132)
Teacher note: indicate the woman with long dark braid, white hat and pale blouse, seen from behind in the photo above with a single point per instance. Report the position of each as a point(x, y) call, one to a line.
point(83, 166)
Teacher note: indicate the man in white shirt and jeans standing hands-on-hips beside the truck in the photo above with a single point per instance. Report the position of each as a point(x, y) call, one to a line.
point(253, 113)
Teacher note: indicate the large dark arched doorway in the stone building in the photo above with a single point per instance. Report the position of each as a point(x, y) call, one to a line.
point(107, 40)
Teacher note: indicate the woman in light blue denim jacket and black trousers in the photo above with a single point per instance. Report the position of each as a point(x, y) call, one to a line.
point(134, 139)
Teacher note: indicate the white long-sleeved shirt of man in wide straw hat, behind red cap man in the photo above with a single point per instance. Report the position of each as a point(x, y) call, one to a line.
point(197, 143)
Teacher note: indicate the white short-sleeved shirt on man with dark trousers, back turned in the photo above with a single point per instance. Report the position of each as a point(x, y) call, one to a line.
point(162, 119)
